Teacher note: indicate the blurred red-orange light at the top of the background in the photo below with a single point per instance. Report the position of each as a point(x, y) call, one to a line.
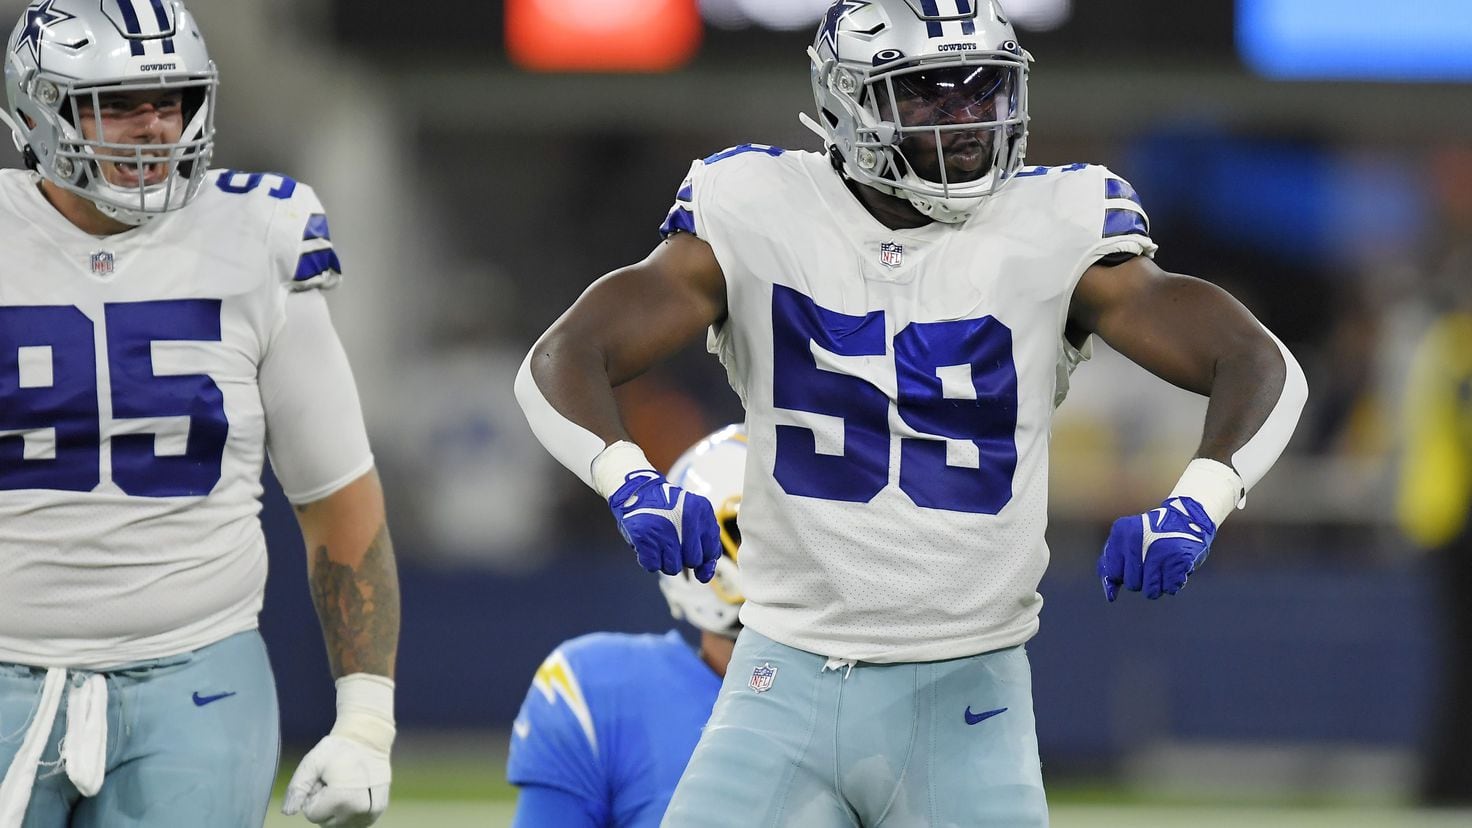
point(603, 36)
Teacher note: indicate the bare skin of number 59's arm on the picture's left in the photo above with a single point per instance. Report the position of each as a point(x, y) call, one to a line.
point(623, 325)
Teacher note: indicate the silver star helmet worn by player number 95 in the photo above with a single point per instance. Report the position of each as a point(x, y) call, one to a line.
point(66, 57)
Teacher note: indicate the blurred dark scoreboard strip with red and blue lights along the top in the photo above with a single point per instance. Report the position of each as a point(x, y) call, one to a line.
point(1427, 41)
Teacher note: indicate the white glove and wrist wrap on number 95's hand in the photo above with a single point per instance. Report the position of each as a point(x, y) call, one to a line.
point(344, 783)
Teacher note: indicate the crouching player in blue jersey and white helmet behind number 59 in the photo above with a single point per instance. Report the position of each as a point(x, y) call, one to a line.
point(612, 720)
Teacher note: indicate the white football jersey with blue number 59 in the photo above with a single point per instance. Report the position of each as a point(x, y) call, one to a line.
point(900, 390)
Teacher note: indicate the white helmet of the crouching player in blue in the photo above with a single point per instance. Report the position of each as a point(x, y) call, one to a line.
point(713, 469)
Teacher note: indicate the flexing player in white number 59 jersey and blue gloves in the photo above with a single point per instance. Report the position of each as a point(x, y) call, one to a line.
point(900, 316)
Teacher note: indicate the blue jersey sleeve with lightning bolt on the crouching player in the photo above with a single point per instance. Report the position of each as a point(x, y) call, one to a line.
point(554, 742)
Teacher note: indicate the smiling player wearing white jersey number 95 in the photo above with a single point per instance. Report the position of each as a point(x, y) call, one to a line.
point(163, 328)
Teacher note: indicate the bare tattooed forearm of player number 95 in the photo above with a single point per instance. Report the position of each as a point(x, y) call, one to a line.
point(354, 578)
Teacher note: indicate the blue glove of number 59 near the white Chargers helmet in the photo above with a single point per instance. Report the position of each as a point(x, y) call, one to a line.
point(669, 528)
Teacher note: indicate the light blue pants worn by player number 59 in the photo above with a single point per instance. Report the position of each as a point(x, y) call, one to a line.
point(900, 746)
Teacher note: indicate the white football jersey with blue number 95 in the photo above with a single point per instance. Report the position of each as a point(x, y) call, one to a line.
point(132, 419)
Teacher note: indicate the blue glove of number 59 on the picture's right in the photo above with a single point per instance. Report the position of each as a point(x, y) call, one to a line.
point(1156, 552)
